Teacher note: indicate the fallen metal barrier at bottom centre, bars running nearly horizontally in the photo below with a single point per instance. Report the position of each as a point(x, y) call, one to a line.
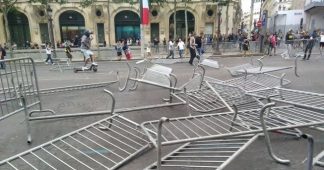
point(209, 154)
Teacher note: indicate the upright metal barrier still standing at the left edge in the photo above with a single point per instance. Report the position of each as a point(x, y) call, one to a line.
point(18, 79)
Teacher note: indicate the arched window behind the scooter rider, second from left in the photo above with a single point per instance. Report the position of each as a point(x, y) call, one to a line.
point(71, 26)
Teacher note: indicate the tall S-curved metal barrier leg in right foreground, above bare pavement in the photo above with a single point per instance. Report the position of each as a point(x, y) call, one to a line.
point(266, 135)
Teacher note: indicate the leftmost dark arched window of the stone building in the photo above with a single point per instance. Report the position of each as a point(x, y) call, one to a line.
point(19, 28)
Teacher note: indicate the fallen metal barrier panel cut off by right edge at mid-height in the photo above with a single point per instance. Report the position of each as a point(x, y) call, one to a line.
point(290, 96)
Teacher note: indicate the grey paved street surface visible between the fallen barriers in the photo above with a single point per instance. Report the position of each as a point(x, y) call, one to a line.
point(255, 157)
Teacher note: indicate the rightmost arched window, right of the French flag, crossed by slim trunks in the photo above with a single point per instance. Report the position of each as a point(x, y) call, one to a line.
point(180, 23)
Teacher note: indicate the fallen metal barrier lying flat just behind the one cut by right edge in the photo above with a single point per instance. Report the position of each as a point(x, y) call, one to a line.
point(258, 81)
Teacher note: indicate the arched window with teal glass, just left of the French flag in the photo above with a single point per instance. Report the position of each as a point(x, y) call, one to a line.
point(127, 25)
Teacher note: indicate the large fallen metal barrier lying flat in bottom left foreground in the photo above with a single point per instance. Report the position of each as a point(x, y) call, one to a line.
point(106, 144)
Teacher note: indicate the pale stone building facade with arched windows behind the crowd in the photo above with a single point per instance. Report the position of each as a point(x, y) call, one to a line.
point(112, 21)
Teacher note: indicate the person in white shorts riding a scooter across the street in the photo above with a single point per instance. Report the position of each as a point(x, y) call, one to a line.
point(86, 49)
